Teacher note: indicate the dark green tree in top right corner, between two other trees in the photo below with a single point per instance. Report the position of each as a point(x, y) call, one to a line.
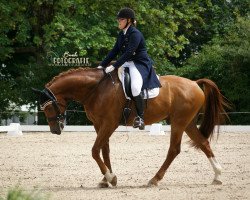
point(215, 18)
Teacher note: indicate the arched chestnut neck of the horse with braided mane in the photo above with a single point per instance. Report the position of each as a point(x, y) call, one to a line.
point(76, 86)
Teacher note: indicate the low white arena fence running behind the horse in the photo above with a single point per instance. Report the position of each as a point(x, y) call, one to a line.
point(154, 129)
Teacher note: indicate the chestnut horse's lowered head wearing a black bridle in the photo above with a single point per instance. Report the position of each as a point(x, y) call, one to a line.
point(53, 110)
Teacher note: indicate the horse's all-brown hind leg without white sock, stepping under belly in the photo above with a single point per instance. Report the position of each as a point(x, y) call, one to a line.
point(174, 150)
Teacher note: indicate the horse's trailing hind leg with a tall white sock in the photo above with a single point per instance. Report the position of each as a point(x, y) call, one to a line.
point(203, 143)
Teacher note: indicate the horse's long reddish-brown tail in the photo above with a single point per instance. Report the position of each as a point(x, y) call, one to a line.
point(215, 104)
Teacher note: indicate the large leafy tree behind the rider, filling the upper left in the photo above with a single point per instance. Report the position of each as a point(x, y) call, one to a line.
point(39, 27)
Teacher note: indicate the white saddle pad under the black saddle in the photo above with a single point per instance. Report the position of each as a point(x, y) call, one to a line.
point(151, 92)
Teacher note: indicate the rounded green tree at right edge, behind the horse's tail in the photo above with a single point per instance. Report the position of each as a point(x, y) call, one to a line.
point(226, 60)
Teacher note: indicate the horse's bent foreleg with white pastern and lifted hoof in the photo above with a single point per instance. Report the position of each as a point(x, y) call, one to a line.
point(101, 140)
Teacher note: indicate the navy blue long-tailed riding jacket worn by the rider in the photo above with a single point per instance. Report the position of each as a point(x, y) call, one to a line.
point(132, 47)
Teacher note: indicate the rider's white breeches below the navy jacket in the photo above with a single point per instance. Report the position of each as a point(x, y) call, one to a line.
point(136, 78)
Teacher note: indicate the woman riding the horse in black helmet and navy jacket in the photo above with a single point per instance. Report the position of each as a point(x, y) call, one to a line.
point(131, 47)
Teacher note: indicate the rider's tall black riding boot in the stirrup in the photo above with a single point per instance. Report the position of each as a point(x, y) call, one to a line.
point(139, 105)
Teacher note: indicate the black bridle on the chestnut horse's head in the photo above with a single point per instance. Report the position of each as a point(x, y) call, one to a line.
point(52, 100)
